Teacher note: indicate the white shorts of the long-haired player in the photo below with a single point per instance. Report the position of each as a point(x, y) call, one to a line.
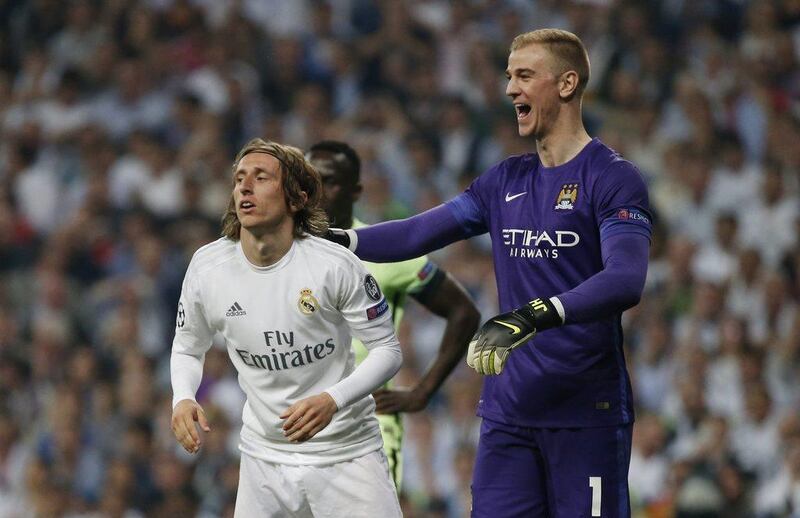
point(358, 488)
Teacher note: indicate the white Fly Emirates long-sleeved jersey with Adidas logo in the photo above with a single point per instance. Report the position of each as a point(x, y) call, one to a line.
point(287, 329)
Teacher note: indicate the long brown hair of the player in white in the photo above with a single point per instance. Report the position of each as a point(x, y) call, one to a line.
point(297, 176)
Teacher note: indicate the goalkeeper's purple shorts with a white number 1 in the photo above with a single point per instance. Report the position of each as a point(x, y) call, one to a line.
point(551, 472)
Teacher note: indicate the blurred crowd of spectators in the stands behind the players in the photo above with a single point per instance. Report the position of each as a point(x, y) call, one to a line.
point(119, 120)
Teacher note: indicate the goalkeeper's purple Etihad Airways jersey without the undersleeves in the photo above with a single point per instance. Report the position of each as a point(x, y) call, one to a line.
point(546, 226)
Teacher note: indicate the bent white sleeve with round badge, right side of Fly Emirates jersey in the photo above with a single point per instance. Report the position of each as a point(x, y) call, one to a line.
point(367, 314)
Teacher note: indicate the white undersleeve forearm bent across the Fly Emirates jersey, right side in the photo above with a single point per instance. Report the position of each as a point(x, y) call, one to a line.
point(381, 364)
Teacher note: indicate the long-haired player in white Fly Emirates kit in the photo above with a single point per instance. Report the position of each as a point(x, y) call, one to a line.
point(287, 303)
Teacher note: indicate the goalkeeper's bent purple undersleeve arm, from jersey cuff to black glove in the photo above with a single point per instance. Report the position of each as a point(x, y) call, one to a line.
point(614, 289)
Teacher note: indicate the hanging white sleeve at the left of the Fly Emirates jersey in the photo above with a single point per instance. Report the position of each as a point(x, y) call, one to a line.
point(192, 339)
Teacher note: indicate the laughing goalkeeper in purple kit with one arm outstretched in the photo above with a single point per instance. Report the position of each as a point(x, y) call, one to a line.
point(570, 228)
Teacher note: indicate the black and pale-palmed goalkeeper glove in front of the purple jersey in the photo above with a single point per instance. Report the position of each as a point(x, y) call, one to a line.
point(494, 341)
